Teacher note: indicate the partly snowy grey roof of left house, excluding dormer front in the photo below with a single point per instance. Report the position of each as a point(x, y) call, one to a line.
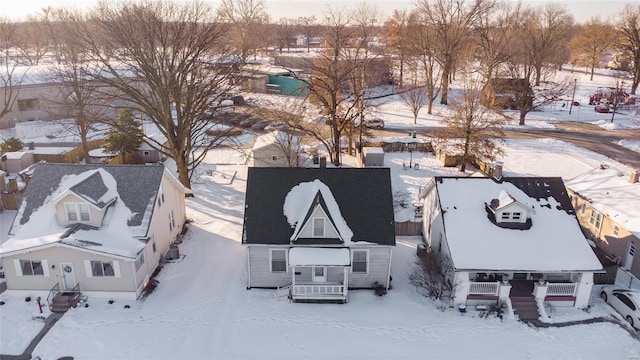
point(130, 189)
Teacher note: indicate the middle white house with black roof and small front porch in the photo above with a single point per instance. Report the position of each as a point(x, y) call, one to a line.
point(316, 233)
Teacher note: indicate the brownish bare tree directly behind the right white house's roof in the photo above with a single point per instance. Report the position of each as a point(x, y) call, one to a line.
point(473, 131)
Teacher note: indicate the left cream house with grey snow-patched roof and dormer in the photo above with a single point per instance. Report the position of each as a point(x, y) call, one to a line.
point(100, 230)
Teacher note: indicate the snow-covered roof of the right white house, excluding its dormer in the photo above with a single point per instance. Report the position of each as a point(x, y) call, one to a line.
point(553, 243)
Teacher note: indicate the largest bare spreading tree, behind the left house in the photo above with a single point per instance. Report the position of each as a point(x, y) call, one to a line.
point(165, 71)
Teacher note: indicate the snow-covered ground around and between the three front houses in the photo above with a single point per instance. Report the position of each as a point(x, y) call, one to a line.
point(202, 309)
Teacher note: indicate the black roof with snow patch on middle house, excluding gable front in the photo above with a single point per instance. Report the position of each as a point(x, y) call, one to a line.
point(359, 200)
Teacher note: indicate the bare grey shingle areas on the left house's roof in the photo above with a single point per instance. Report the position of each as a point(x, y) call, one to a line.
point(137, 186)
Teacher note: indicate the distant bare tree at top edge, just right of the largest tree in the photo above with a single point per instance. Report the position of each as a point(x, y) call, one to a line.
point(247, 20)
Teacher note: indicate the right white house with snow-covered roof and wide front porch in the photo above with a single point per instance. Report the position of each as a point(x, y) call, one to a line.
point(516, 240)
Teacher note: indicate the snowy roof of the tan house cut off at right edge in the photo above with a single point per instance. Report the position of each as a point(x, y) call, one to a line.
point(609, 191)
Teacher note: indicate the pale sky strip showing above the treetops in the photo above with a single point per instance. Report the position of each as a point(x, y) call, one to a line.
point(582, 10)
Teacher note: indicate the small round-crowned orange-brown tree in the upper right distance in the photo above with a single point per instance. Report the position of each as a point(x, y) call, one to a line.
point(592, 41)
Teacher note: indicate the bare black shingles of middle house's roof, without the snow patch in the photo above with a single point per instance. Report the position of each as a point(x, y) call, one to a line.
point(363, 195)
